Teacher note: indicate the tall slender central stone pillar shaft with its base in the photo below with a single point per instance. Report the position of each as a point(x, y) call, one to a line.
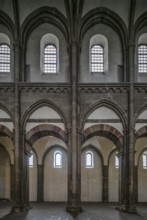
point(74, 203)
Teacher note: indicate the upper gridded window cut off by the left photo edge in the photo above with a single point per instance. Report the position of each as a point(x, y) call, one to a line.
point(4, 58)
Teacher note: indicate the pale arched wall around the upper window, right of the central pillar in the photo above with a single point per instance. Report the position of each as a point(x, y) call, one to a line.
point(113, 53)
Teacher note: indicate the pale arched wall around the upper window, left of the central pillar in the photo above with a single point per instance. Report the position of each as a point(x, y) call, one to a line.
point(34, 64)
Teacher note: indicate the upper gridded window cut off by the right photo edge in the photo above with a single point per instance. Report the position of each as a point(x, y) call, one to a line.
point(142, 59)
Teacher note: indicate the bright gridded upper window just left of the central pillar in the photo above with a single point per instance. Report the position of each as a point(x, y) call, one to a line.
point(50, 59)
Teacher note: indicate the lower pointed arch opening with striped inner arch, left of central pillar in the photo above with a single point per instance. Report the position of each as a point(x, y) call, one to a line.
point(46, 137)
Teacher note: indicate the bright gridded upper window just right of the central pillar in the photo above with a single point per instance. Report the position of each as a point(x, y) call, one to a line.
point(97, 59)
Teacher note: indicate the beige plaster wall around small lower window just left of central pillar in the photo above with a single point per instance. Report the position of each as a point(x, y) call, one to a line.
point(55, 179)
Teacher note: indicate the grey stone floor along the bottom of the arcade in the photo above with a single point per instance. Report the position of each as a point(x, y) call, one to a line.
point(48, 211)
